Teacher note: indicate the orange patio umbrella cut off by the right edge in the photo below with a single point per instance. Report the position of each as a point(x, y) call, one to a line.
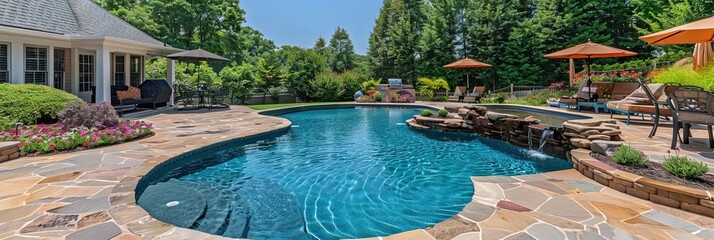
point(700, 33)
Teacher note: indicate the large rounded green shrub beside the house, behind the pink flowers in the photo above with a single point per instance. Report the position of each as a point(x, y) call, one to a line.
point(31, 103)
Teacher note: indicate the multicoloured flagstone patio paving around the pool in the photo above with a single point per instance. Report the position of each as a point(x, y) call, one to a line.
point(90, 194)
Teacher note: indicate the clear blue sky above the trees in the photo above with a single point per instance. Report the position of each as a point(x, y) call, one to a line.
point(301, 22)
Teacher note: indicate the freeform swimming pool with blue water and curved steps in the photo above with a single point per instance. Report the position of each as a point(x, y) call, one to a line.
point(337, 173)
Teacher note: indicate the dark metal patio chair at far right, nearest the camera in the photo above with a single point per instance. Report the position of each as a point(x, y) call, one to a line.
point(691, 106)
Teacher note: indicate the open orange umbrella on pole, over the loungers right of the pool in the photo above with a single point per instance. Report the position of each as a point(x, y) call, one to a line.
point(588, 51)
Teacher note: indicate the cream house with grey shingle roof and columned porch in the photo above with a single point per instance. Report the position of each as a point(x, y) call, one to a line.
point(73, 45)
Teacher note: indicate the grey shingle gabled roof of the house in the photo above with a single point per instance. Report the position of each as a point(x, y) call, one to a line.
point(69, 17)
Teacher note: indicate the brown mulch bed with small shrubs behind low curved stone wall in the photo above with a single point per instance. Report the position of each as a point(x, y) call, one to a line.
point(655, 171)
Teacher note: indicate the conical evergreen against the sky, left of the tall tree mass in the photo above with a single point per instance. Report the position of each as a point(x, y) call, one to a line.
point(342, 57)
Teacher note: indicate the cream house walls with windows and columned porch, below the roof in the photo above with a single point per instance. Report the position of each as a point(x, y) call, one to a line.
point(84, 66)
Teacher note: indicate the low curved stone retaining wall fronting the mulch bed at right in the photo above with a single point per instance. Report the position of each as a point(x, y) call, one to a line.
point(676, 196)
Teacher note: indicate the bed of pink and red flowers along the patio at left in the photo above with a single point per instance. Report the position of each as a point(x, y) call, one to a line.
point(48, 138)
